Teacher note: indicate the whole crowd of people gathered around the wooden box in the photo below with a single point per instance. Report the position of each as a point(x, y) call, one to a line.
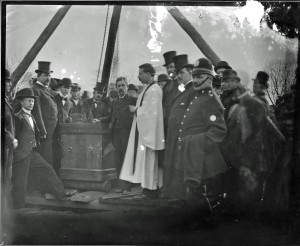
point(193, 134)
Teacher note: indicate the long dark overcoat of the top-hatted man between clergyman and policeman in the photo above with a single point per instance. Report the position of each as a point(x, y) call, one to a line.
point(173, 177)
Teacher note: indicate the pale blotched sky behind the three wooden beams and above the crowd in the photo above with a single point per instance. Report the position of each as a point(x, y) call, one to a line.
point(236, 34)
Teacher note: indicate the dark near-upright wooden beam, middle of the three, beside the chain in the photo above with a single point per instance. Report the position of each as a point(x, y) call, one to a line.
point(111, 40)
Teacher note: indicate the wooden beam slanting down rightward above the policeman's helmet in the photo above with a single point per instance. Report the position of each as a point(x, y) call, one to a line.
point(194, 34)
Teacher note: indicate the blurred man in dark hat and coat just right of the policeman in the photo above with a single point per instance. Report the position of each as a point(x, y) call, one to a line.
point(243, 147)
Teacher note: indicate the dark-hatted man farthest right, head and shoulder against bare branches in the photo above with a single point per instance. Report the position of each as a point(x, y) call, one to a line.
point(260, 85)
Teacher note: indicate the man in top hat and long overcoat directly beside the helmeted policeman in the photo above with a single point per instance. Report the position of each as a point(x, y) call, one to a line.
point(173, 172)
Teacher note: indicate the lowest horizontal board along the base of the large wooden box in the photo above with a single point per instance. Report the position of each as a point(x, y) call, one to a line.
point(87, 174)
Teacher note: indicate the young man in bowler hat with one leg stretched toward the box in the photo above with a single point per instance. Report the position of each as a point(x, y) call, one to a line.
point(26, 157)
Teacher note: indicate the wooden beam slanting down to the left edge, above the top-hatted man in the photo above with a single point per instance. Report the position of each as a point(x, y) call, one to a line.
point(39, 44)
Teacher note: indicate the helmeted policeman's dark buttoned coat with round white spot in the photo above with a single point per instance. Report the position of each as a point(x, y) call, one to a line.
point(202, 129)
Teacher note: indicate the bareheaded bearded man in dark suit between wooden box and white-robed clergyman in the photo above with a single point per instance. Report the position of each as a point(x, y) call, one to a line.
point(121, 121)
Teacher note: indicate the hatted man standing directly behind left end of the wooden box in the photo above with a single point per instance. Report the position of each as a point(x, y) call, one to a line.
point(80, 107)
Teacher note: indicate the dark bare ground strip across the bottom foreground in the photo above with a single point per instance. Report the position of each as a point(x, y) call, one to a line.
point(155, 227)
